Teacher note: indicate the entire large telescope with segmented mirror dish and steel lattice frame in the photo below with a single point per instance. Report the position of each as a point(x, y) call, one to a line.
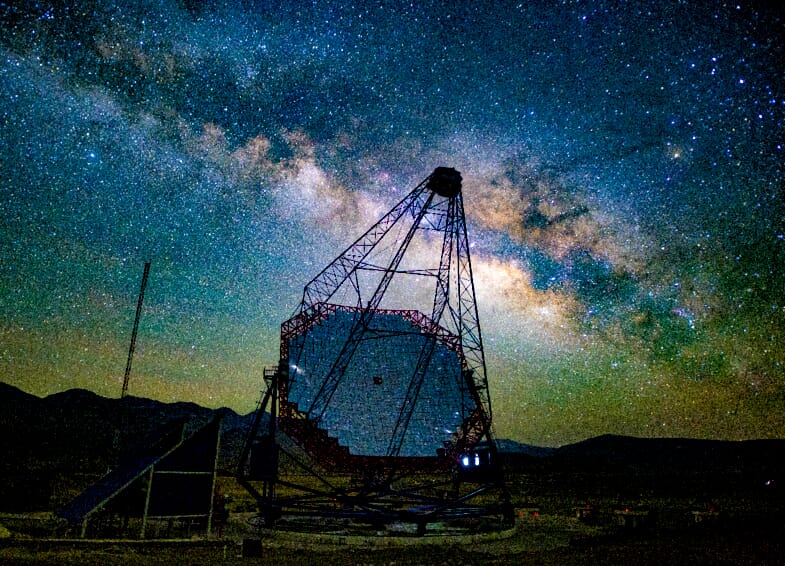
point(381, 382)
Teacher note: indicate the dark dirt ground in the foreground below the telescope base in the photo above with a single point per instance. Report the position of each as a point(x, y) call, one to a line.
point(554, 527)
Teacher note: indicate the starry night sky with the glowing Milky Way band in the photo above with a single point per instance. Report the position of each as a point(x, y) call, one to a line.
point(623, 170)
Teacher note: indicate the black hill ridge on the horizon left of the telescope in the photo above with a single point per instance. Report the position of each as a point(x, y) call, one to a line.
point(75, 430)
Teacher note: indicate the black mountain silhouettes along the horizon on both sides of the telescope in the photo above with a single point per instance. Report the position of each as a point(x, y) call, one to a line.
point(54, 446)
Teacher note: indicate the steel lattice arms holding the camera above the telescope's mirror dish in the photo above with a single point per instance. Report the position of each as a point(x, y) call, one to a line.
point(362, 275)
